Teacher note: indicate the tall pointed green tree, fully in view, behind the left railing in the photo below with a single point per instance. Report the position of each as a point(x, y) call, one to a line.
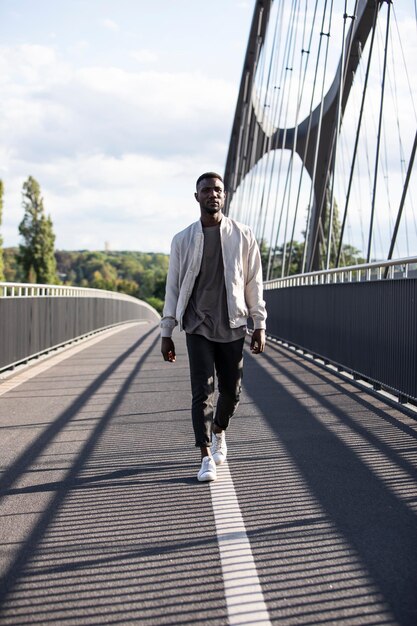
point(37, 252)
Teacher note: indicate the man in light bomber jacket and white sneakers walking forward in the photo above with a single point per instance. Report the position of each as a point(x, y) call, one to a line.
point(214, 284)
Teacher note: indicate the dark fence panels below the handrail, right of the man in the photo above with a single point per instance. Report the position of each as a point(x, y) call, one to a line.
point(368, 328)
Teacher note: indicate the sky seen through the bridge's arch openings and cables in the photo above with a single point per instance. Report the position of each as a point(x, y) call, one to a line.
point(384, 145)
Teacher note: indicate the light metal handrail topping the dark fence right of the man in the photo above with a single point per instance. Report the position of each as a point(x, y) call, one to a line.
point(380, 270)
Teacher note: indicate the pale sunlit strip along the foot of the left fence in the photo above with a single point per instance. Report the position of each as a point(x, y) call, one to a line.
point(30, 371)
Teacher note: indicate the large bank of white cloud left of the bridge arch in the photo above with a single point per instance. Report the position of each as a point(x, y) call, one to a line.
point(93, 138)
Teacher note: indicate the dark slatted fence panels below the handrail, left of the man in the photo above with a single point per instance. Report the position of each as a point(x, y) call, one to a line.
point(31, 325)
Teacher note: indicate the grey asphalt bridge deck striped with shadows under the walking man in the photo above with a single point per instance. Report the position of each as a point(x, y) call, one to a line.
point(104, 522)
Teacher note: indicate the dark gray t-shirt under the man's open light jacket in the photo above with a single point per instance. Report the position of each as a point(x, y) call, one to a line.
point(206, 312)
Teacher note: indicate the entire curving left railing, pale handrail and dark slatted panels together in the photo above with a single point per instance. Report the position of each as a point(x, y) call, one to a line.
point(35, 319)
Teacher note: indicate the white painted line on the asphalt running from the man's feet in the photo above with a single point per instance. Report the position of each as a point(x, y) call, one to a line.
point(243, 592)
